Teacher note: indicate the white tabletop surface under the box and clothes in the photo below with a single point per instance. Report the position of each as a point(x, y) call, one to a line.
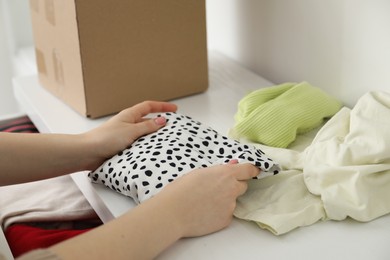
point(229, 82)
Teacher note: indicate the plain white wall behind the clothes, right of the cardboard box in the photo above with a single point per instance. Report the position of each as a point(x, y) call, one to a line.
point(342, 46)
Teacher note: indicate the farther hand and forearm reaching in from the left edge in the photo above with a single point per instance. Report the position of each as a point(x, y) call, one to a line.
point(58, 154)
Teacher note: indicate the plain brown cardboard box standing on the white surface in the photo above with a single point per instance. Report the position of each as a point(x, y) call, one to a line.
point(102, 56)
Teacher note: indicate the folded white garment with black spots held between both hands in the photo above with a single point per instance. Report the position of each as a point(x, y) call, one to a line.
point(154, 160)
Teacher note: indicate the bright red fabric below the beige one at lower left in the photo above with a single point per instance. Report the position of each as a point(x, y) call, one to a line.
point(23, 238)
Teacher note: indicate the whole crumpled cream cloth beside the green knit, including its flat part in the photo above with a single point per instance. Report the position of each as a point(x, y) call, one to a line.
point(343, 172)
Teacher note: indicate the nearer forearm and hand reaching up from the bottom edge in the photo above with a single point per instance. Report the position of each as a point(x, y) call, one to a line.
point(199, 203)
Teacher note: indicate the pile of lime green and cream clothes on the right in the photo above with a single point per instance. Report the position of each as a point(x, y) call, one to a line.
point(335, 160)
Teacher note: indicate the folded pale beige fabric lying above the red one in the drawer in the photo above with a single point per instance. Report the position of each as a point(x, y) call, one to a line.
point(56, 199)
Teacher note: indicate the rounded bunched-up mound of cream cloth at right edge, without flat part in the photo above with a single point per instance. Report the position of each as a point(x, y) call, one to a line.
point(348, 163)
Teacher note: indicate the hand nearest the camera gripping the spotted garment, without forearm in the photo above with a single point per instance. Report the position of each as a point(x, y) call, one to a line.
point(203, 200)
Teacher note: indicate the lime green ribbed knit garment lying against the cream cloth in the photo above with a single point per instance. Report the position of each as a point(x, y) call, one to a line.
point(275, 115)
